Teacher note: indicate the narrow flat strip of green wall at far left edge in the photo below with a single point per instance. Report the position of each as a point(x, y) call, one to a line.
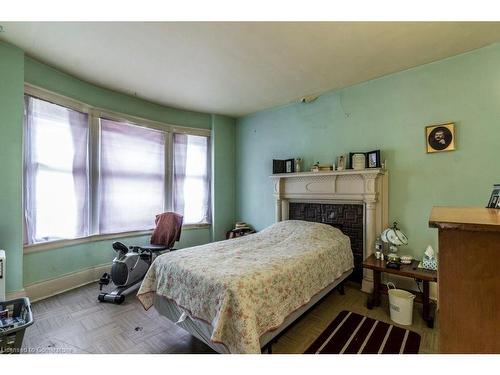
point(11, 117)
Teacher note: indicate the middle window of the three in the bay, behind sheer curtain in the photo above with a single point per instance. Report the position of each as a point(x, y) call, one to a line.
point(132, 180)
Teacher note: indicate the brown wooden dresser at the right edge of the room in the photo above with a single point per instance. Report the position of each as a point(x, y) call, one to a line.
point(469, 279)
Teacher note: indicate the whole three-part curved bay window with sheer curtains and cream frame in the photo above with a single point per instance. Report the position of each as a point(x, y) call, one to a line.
point(89, 172)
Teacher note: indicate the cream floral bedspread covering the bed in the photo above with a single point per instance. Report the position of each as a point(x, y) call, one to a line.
point(247, 286)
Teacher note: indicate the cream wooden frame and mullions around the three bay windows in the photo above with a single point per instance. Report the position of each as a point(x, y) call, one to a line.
point(94, 115)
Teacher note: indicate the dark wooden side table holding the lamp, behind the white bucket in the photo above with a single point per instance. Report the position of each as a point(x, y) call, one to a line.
point(406, 270)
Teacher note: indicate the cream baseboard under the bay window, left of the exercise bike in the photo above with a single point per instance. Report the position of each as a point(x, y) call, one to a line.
point(48, 288)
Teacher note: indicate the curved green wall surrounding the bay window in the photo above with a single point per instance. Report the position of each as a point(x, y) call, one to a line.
point(15, 69)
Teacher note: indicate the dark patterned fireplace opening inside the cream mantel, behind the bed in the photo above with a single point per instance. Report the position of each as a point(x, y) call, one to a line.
point(346, 217)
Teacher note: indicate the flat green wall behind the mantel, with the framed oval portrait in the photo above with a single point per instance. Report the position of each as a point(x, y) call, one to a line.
point(389, 113)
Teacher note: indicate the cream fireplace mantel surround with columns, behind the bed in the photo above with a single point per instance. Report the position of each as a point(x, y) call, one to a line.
point(368, 187)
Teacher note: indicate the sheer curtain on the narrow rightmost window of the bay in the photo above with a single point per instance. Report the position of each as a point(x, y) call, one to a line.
point(191, 190)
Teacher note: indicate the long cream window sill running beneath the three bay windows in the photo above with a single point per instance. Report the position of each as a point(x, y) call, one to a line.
point(51, 245)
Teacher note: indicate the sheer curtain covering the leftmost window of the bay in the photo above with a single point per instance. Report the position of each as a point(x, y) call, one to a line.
point(56, 183)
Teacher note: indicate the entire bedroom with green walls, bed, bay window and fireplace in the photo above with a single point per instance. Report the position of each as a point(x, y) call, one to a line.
point(99, 144)
